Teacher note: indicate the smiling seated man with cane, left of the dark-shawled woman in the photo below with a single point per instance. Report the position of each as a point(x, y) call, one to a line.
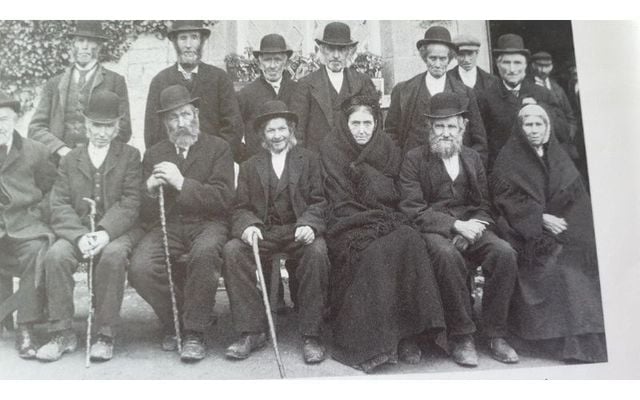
point(279, 202)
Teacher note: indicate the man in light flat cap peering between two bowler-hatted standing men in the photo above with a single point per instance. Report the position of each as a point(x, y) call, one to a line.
point(467, 70)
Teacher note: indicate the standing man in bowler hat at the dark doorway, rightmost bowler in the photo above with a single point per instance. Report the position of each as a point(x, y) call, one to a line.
point(499, 104)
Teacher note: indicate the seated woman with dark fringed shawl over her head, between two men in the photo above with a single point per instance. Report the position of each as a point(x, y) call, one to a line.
point(383, 293)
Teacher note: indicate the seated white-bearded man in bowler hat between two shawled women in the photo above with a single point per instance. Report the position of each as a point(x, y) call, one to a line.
point(444, 192)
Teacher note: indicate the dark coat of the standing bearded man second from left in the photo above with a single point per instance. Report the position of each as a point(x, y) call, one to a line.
point(219, 111)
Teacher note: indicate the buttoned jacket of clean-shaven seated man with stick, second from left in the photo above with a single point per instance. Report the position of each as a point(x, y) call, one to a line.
point(120, 192)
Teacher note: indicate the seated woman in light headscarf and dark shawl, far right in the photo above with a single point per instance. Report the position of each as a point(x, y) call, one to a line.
point(545, 213)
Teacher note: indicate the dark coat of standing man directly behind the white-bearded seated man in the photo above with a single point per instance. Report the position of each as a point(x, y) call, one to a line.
point(404, 109)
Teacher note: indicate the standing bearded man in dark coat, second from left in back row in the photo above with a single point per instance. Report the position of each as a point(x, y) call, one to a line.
point(219, 111)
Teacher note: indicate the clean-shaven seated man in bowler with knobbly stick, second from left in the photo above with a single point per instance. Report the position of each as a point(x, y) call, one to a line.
point(107, 172)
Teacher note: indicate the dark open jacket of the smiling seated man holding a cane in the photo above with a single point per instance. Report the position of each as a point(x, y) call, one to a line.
point(305, 191)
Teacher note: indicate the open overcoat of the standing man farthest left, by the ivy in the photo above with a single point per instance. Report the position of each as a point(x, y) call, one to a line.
point(47, 123)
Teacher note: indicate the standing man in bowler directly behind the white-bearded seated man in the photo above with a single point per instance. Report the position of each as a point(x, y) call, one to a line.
point(406, 122)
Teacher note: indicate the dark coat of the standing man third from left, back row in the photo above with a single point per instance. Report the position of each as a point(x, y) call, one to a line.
point(251, 98)
